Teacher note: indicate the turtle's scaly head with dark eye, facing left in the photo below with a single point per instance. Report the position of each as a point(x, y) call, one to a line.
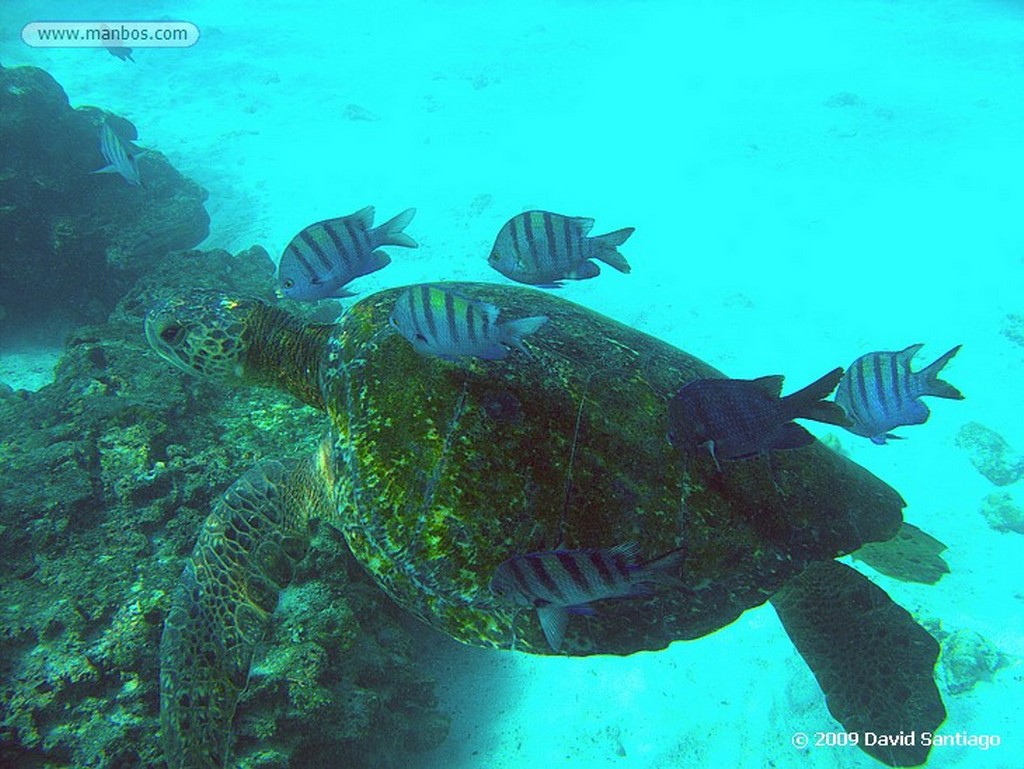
point(202, 332)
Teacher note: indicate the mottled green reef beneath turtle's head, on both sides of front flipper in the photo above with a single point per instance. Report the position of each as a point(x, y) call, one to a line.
point(108, 476)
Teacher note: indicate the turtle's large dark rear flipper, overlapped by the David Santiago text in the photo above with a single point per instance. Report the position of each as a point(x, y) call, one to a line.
point(874, 663)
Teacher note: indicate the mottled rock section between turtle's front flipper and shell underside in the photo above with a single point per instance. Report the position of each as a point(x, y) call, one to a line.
point(337, 671)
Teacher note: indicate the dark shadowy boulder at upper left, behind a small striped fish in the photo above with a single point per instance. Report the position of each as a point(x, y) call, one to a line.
point(73, 242)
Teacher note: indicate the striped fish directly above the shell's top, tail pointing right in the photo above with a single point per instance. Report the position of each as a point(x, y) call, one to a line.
point(541, 248)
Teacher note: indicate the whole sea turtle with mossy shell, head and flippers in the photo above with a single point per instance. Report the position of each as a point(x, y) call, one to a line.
point(439, 472)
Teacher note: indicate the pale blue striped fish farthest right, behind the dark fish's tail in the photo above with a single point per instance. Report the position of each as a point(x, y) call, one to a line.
point(880, 393)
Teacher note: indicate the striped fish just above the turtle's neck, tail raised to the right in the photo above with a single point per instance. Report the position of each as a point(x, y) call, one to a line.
point(325, 257)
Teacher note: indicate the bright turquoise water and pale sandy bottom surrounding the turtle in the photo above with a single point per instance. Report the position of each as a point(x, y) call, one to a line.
point(808, 184)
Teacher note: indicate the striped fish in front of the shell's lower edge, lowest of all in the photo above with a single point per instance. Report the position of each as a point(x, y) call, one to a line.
point(560, 582)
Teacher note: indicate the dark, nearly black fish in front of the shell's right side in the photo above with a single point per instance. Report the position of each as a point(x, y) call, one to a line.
point(740, 418)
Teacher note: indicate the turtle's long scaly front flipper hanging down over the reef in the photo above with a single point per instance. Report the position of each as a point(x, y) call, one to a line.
point(244, 558)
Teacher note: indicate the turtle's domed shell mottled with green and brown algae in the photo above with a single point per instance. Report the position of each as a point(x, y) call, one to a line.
point(444, 471)
